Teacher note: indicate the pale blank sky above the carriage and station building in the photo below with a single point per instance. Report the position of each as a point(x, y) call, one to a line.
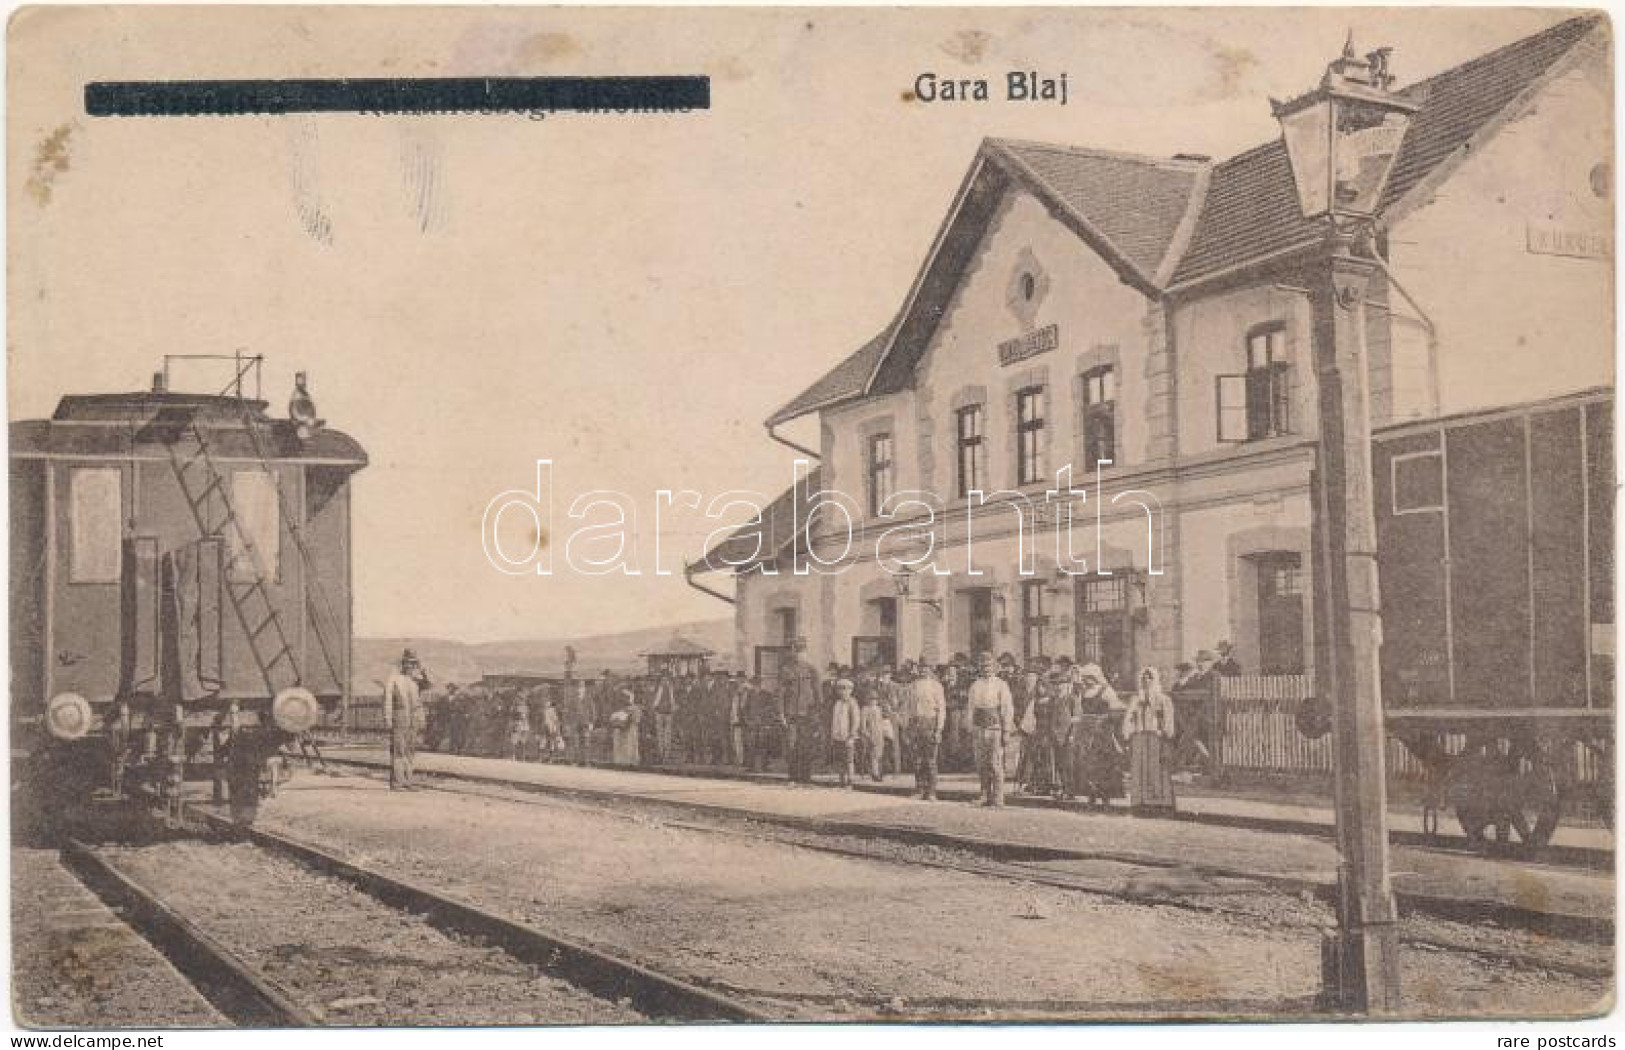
point(626, 297)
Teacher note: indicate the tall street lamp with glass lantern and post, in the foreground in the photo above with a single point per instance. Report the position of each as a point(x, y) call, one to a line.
point(1343, 141)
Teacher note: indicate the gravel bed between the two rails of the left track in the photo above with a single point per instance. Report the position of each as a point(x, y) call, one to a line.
point(347, 957)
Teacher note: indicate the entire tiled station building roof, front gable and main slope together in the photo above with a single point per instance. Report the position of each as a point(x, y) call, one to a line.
point(1171, 225)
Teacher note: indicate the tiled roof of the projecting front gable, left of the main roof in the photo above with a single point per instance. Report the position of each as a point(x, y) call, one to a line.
point(1135, 212)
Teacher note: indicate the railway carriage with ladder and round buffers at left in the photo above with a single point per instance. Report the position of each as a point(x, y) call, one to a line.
point(181, 597)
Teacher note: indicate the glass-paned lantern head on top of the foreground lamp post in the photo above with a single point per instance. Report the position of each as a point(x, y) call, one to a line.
point(1345, 137)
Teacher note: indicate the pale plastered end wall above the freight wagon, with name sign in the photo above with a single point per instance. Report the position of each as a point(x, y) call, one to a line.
point(1515, 324)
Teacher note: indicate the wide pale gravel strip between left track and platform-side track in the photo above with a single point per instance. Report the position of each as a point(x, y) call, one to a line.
point(813, 935)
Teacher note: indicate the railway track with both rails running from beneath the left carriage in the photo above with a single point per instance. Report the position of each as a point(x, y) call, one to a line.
point(280, 934)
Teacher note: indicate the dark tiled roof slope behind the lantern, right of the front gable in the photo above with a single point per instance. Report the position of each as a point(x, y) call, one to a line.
point(1252, 207)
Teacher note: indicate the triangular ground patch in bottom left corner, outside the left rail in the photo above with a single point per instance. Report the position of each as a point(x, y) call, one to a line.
point(76, 965)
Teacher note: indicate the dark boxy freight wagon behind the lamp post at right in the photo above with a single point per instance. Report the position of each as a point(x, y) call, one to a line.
point(1496, 552)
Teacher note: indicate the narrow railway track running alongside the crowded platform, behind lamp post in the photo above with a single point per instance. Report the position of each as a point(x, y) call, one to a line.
point(1190, 888)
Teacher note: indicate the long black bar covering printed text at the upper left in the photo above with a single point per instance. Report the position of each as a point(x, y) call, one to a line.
point(201, 98)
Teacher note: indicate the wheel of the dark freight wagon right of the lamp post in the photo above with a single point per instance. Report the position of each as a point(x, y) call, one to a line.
point(1497, 801)
